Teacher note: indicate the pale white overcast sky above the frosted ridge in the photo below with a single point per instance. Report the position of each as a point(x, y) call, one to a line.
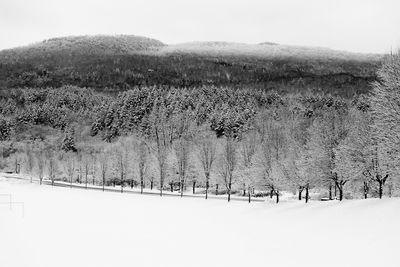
point(355, 25)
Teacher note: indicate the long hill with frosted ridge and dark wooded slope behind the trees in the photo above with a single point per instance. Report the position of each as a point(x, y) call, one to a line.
point(121, 62)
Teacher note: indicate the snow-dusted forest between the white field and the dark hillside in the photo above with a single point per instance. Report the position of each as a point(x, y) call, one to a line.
point(212, 139)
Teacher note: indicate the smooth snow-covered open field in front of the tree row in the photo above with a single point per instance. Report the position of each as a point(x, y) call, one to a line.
point(74, 227)
